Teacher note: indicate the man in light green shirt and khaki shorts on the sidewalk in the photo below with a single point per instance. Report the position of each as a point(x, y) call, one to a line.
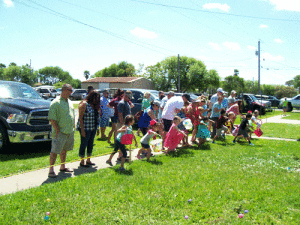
point(62, 119)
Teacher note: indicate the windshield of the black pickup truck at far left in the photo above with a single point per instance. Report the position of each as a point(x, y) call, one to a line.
point(17, 90)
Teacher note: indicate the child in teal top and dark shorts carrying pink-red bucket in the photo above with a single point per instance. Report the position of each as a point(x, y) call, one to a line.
point(129, 121)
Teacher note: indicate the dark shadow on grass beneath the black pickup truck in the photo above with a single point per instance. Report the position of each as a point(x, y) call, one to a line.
point(25, 151)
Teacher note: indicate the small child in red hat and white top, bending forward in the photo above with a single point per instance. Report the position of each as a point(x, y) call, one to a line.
point(146, 139)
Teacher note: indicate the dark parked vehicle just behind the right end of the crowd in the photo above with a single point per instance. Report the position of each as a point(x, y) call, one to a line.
point(251, 103)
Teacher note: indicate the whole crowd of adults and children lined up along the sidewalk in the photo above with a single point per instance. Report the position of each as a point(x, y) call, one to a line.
point(211, 118)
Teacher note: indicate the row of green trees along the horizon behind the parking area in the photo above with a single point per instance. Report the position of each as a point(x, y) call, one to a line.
point(193, 77)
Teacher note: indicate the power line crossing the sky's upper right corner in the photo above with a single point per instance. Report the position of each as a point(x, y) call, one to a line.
point(204, 11)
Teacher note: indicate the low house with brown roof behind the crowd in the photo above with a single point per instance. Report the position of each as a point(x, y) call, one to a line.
point(118, 82)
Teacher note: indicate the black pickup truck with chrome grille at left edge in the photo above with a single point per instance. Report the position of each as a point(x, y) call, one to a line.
point(23, 115)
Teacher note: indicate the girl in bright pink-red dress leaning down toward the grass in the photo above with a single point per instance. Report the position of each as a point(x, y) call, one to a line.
point(174, 136)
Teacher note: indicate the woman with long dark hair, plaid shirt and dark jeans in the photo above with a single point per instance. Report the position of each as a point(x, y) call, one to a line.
point(88, 125)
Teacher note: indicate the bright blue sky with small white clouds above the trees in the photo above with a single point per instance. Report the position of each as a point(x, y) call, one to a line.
point(91, 35)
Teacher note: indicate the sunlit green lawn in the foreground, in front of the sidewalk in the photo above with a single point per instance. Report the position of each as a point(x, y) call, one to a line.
point(221, 180)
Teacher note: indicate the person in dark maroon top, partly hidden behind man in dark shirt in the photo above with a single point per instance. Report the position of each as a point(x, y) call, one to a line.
point(114, 120)
